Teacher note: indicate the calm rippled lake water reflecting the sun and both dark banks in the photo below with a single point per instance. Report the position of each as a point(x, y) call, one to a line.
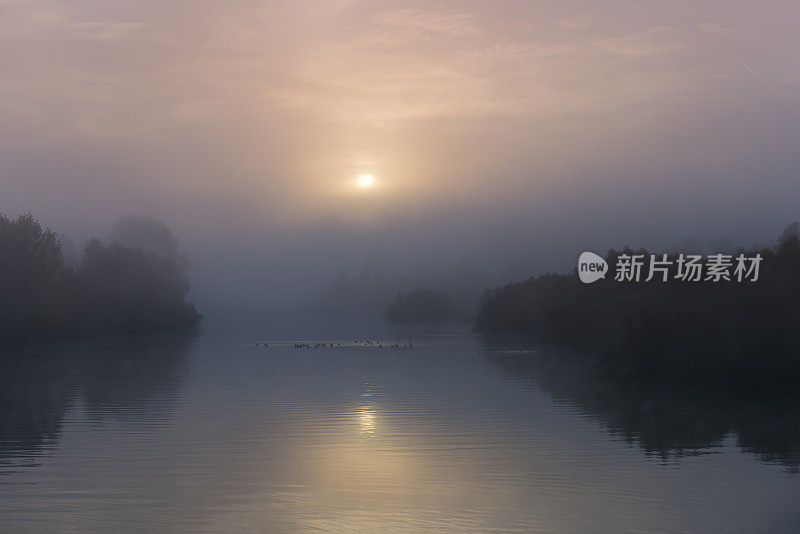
point(214, 434)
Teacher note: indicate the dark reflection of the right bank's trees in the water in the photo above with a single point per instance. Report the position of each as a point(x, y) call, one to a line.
point(665, 422)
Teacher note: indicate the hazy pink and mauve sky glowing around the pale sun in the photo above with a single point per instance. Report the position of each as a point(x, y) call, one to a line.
point(498, 131)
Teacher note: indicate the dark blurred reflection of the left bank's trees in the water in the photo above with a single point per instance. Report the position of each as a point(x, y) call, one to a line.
point(119, 379)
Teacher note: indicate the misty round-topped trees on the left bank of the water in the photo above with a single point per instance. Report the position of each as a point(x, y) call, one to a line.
point(135, 283)
